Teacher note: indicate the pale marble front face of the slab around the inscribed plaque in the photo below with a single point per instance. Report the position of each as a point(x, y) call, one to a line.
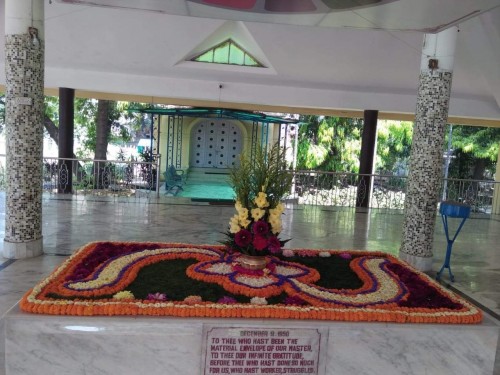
point(39, 344)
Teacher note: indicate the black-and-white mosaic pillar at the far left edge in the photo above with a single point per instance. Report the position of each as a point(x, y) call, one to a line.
point(24, 69)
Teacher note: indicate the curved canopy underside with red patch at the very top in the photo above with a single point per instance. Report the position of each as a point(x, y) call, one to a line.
point(409, 15)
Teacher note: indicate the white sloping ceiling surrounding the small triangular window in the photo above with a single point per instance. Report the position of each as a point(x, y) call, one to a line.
point(321, 55)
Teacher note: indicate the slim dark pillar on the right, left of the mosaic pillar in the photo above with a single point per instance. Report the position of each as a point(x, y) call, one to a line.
point(366, 158)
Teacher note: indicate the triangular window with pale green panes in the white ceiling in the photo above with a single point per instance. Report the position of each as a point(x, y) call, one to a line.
point(227, 52)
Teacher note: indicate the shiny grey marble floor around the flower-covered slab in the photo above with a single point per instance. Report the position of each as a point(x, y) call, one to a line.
point(69, 223)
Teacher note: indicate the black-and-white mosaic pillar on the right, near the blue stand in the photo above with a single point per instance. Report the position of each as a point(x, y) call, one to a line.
point(426, 157)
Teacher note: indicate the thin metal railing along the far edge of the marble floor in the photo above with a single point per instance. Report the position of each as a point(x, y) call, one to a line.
point(125, 178)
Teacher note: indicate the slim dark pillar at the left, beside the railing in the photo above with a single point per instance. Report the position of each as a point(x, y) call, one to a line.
point(66, 138)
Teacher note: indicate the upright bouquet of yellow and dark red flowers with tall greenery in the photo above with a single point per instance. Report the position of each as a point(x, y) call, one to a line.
point(260, 185)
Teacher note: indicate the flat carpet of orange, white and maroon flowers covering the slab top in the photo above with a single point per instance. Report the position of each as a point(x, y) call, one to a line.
point(169, 279)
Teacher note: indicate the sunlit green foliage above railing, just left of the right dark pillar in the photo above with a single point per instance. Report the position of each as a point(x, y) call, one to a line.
point(329, 143)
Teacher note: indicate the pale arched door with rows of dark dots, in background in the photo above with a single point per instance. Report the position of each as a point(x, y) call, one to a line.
point(215, 143)
